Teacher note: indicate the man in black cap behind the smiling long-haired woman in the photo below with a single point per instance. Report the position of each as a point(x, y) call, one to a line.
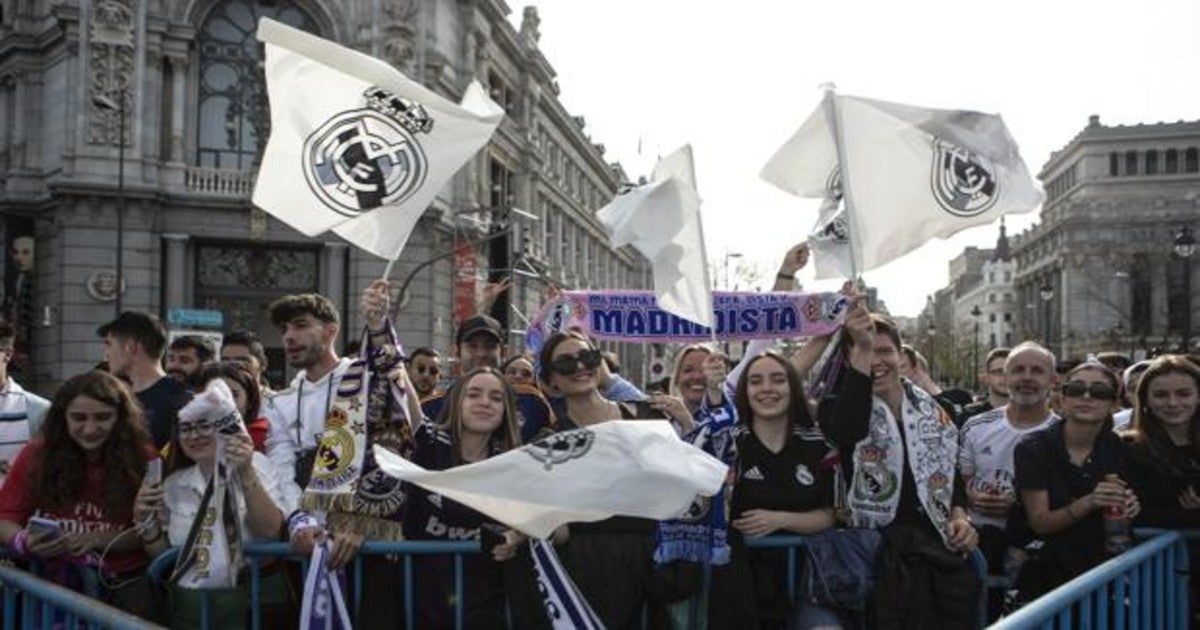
point(479, 344)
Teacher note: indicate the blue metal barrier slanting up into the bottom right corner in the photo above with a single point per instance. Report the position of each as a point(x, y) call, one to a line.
point(1144, 589)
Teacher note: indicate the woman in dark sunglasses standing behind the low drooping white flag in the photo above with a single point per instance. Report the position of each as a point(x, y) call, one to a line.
point(610, 561)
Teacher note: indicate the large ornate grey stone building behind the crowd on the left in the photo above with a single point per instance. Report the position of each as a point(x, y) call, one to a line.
point(142, 123)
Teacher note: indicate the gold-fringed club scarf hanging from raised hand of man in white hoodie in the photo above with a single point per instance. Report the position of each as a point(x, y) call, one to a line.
point(370, 410)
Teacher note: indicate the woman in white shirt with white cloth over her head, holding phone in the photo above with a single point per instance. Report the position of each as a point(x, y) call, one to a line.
point(172, 507)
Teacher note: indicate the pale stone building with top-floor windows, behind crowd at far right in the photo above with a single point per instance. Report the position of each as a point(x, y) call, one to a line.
point(1101, 271)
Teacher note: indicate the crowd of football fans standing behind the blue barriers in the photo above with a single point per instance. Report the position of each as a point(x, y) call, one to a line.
point(1033, 472)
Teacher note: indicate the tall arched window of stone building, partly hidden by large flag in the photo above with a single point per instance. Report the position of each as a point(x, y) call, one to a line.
point(235, 117)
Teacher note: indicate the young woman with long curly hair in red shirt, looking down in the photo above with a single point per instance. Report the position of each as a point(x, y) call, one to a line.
point(83, 471)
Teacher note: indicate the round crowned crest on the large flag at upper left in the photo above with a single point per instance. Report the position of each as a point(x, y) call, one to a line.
point(365, 159)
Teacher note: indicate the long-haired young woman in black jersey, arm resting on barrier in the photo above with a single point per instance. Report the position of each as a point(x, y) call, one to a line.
point(785, 482)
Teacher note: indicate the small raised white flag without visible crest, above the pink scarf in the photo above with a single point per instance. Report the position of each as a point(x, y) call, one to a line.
point(662, 220)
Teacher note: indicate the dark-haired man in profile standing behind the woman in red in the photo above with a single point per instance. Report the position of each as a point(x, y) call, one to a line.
point(134, 346)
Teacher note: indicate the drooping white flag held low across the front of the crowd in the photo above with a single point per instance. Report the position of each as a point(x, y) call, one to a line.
point(620, 467)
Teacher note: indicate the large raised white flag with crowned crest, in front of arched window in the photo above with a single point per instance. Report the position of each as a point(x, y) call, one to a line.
point(357, 147)
